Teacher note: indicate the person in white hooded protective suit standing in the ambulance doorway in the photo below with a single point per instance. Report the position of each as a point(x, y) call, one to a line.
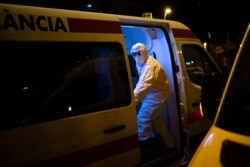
point(152, 91)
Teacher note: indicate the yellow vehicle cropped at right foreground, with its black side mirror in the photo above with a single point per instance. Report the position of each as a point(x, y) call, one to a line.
point(227, 142)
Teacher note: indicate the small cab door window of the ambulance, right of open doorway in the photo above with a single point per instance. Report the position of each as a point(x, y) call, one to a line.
point(197, 62)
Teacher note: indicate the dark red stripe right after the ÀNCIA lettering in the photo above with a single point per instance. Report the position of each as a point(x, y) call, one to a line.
point(93, 26)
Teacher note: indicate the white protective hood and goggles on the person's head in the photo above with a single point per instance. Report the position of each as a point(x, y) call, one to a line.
point(143, 54)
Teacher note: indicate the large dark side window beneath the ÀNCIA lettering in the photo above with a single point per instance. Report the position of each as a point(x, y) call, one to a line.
point(54, 80)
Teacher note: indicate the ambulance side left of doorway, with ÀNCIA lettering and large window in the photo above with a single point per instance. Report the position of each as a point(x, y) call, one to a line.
point(69, 88)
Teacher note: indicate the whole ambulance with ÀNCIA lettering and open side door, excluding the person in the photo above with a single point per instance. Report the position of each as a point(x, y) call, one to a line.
point(68, 88)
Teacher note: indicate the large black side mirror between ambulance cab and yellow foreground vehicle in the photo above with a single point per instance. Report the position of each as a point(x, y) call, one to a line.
point(212, 86)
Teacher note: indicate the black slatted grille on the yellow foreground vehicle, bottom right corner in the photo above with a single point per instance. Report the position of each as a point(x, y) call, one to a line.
point(234, 154)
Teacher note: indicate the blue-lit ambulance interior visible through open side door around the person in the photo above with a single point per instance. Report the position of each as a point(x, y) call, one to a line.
point(158, 47)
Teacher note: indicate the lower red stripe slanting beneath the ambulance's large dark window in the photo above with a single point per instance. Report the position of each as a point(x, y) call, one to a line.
point(94, 154)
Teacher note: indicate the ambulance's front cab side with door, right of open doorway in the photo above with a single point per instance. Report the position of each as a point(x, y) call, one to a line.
point(191, 56)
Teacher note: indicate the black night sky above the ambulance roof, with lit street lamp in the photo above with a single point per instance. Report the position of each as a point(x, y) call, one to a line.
point(202, 16)
